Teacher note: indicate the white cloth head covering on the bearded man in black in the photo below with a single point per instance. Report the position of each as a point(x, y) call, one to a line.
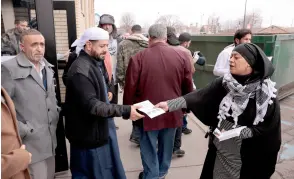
point(93, 33)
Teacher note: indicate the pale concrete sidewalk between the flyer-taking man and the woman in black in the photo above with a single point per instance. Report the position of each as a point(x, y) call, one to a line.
point(194, 144)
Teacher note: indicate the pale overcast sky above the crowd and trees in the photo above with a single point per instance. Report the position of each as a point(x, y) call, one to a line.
point(275, 12)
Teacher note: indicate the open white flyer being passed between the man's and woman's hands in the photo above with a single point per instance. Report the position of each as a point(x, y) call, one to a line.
point(148, 108)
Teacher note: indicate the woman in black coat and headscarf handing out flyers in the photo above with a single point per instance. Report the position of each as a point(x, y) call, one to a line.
point(243, 98)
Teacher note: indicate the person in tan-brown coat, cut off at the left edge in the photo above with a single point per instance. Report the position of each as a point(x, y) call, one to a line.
point(14, 158)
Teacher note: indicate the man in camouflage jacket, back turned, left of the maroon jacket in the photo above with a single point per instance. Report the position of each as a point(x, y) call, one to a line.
point(127, 48)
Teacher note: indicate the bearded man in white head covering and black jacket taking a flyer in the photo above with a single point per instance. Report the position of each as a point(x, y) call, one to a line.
point(89, 125)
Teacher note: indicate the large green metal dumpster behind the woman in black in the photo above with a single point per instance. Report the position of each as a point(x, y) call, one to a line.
point(280, 47)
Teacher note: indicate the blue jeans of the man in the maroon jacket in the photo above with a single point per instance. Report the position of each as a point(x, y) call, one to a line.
point(156, 162)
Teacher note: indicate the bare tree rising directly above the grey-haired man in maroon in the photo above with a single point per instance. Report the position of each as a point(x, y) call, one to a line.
point(170, 20)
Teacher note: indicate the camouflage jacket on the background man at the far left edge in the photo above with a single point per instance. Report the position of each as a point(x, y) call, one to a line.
point(10, 42)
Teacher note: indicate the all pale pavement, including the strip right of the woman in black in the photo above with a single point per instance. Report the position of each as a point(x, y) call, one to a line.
point(195, 145)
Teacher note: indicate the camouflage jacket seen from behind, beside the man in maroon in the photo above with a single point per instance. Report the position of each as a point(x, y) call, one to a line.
point(127, 48)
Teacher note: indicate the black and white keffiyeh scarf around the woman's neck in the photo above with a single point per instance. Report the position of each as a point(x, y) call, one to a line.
point(238, 96)
